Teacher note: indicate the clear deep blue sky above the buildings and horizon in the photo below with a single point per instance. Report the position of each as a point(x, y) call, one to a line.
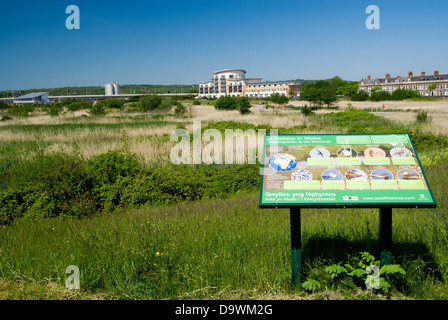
point(183, 42)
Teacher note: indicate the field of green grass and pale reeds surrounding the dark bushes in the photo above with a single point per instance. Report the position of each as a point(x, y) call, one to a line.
point(218, 248)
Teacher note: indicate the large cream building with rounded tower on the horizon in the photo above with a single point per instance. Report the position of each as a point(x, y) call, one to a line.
point(233, 82)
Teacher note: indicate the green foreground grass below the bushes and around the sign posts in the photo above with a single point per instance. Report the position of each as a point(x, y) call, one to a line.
point(221, 249)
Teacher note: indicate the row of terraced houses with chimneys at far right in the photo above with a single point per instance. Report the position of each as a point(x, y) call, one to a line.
point(435, 85)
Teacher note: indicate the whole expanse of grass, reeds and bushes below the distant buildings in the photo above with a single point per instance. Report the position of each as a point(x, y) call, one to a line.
point(101, 194)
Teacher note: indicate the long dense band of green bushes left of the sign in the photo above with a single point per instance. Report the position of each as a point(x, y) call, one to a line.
point(61, 185)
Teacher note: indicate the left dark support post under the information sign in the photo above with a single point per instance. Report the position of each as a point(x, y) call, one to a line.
point(296, 246)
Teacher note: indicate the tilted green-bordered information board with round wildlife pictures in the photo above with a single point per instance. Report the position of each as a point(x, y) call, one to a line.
point(343, 170)
